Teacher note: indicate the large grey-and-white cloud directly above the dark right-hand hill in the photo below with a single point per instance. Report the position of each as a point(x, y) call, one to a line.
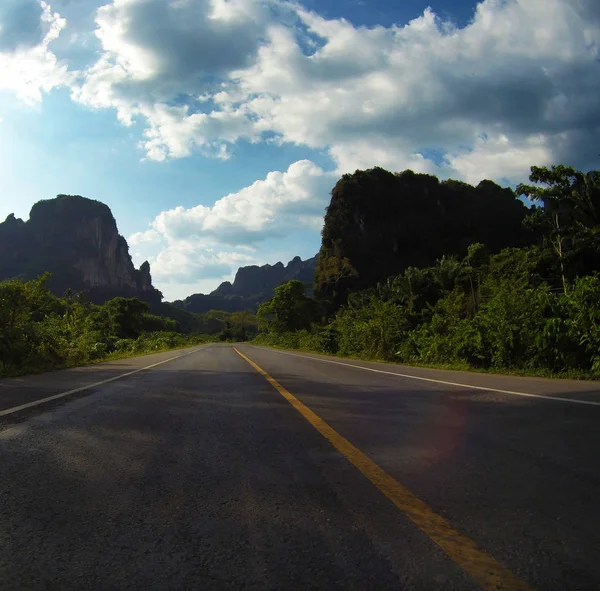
point(522, 71)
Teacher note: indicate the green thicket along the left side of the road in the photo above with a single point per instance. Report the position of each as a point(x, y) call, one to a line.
point(40, 331)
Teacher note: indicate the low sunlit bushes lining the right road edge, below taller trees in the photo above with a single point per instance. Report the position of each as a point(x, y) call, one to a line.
point(512, 322)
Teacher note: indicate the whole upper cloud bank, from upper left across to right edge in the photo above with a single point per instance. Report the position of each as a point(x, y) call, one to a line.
point(522, 73)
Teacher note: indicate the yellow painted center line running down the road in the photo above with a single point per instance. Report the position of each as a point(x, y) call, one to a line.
point(476, 562)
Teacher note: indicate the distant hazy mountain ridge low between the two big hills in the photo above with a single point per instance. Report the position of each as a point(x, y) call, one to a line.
point(252, 285)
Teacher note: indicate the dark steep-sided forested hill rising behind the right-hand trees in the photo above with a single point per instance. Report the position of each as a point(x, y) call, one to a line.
point(379, 223)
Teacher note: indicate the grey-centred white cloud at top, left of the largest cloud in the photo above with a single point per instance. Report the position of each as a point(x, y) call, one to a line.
point(165, 82)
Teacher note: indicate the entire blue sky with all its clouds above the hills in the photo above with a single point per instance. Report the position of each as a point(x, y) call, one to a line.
point(215, 129)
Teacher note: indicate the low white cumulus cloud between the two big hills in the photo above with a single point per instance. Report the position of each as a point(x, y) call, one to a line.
point(210, 242)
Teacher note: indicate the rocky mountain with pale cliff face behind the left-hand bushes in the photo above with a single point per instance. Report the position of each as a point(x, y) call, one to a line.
point(76, 239)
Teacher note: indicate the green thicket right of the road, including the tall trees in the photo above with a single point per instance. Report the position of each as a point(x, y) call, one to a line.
point(534, 309)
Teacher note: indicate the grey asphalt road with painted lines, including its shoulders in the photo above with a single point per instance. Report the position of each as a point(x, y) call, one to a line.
point(200, 473)
